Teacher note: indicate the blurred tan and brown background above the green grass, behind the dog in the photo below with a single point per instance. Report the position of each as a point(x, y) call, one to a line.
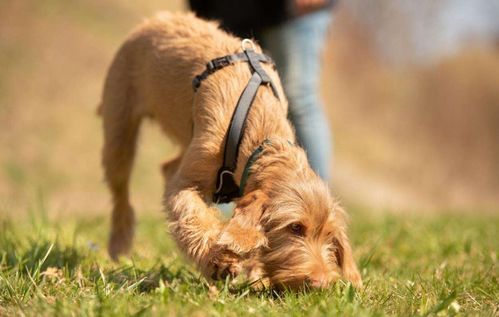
point(411, 88)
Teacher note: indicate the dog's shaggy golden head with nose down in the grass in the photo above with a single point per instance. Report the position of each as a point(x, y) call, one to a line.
point(301, 235)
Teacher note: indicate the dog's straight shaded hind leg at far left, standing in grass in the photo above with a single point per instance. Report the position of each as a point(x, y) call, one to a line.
point(121, 124)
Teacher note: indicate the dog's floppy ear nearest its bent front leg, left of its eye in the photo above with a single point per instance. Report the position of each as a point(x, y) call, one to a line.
point(242, 233)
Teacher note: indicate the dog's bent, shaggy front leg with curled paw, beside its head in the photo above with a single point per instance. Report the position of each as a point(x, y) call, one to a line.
point(196, 227)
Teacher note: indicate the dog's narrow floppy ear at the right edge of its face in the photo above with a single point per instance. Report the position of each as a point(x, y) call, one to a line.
point(344, 258)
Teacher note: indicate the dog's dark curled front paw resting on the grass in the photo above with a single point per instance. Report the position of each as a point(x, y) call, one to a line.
point(225, 263)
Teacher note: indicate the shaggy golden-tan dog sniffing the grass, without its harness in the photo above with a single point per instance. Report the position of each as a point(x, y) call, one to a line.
point(286, 224)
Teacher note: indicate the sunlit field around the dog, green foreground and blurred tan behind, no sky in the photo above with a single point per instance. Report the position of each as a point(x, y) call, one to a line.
point(416, 165)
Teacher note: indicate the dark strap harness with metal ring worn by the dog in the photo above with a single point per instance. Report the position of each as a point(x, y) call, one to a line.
point(226, 187)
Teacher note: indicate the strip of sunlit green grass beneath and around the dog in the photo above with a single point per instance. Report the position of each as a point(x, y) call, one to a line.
point(412, 265)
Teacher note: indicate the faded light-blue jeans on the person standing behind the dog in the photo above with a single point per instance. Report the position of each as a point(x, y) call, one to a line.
point(296, 47)
